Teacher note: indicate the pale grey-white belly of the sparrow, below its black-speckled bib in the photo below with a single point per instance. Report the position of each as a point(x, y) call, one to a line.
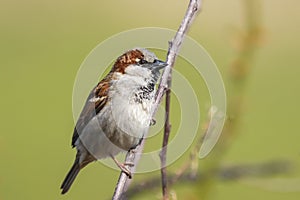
point(118, 127)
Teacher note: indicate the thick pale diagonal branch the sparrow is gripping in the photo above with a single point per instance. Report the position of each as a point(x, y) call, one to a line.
point(174, 48)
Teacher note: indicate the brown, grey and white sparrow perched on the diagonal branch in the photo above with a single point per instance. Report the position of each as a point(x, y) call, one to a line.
point(117, 112)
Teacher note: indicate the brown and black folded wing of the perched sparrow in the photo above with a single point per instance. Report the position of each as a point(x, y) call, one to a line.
point(96, 100)
